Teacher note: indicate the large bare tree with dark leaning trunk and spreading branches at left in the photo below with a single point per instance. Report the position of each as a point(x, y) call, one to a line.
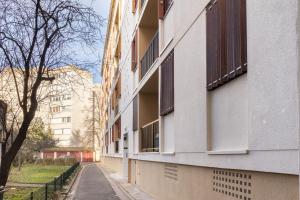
point(36, 37)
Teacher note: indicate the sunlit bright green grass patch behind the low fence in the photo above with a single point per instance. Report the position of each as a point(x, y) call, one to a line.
point(36, 173)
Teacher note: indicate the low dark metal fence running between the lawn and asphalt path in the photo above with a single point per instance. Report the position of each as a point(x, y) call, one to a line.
point(50, 189)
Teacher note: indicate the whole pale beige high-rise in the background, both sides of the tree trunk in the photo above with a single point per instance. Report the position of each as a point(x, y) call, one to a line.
point(65, 105)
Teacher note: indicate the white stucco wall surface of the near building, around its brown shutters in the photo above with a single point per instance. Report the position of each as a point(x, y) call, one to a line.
point(265, 118)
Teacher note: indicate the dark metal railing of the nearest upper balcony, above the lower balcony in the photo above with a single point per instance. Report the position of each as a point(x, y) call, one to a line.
point(150, 55)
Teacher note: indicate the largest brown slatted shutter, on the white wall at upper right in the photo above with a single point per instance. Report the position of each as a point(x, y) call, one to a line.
point(226, 41)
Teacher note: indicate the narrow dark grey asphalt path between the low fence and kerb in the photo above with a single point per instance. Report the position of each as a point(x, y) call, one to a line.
point(93, 185)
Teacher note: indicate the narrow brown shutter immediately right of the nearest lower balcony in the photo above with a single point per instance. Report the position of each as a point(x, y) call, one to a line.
point(167, 85)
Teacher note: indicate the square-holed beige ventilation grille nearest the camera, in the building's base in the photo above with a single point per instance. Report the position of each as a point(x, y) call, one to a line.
point(232, 183)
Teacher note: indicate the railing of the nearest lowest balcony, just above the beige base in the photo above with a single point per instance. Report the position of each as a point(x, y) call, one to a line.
point(150, 137)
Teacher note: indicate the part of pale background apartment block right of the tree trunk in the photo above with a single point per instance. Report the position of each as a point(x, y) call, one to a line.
point(69, 106)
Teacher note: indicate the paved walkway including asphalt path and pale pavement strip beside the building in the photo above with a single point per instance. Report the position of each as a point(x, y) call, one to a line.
point(97, 183)
